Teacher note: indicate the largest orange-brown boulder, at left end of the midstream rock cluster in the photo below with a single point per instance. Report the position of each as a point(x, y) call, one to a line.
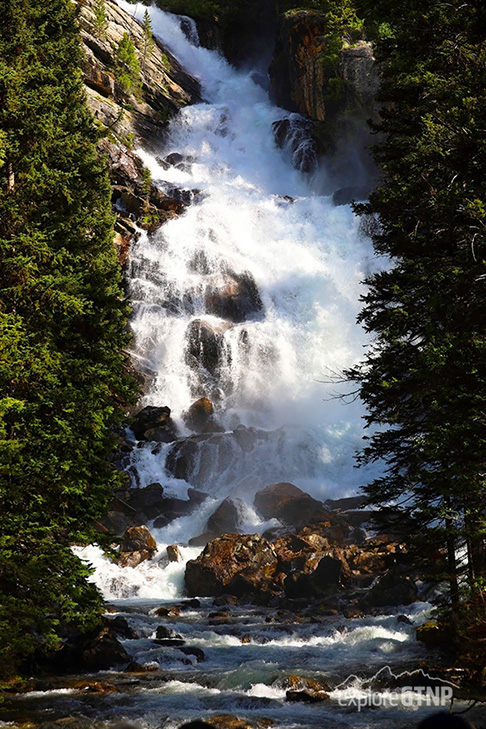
point(232, 564)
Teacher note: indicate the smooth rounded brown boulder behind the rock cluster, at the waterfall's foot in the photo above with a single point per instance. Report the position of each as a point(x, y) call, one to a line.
point(289, 504)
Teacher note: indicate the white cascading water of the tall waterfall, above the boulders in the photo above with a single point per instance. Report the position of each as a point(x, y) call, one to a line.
point(254, 218)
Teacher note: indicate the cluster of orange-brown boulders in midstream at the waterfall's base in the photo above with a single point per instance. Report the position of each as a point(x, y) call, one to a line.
point(317, 560)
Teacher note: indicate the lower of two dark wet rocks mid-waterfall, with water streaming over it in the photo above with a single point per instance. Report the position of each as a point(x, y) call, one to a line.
point(206, 345)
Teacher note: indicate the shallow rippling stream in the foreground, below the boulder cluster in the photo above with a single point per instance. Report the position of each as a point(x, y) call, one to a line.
point(241, 660)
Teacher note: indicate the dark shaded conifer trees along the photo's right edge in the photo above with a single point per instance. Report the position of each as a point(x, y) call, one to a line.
point(424, 380)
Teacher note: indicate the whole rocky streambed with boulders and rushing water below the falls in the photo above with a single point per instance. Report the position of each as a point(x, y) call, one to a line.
point(300, 627)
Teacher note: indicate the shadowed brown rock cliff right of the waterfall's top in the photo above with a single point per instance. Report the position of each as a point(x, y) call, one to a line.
point(339, 100)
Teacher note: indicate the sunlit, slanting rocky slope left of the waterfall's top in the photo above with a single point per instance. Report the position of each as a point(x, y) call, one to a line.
point(134, 116)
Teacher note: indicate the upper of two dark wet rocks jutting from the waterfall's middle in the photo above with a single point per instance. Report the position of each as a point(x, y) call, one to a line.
point(232, 296)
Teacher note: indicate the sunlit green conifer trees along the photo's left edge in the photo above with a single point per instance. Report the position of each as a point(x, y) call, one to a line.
point(62, 328)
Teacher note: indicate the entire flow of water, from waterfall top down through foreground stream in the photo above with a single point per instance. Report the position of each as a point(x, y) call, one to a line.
point(259, 224)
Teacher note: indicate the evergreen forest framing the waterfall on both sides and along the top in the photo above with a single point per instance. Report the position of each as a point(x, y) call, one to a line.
point(65, 377)
